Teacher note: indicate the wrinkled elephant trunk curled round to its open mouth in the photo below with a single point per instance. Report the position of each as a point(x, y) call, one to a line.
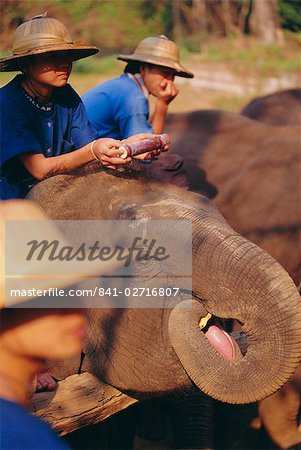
point(235, 279)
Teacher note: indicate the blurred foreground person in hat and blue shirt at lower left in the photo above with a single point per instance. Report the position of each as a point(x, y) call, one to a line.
point(28, 337)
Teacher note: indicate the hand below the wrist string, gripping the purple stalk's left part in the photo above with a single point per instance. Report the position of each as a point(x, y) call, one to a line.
point(106, 151)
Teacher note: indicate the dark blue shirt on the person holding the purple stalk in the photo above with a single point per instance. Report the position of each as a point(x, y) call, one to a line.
point(28, 127)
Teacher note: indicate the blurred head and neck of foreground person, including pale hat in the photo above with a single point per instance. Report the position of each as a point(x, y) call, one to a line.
point(30, 336)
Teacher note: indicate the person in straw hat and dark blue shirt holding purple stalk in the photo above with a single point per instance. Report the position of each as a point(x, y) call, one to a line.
point(44, 127)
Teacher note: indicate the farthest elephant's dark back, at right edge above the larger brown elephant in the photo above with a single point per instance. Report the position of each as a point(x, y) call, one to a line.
point(279, 108)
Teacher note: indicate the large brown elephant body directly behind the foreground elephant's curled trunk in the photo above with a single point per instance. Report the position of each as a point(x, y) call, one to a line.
point(252, 171)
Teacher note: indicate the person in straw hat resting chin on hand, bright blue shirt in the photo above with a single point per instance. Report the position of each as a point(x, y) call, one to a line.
point(119, 108)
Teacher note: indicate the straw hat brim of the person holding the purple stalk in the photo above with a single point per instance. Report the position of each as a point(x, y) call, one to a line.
point(12, 63)
